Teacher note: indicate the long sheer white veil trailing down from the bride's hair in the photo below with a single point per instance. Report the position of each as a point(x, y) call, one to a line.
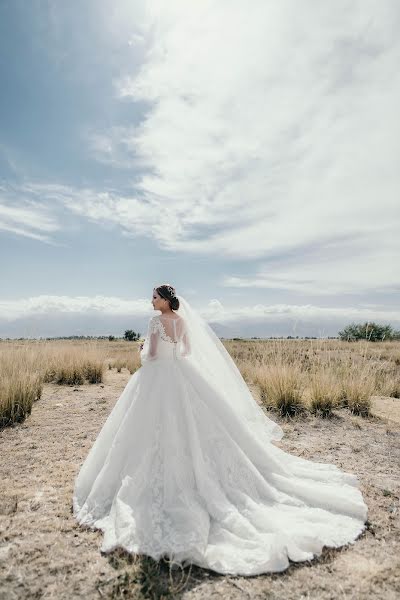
point(215, 362)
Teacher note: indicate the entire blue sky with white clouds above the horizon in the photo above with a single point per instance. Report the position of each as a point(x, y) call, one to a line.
point(245, 153)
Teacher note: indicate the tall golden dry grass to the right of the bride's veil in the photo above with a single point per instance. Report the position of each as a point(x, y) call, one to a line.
point(319, 375)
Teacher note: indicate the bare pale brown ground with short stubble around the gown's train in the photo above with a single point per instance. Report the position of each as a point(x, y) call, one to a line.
point(44, 553)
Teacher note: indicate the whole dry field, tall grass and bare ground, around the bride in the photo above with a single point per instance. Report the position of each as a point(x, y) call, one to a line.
point(337, 402)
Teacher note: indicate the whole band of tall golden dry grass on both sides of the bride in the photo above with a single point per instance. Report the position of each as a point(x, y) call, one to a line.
point(292, 375)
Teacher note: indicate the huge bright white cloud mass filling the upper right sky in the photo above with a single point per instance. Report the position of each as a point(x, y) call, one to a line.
point(268, 130)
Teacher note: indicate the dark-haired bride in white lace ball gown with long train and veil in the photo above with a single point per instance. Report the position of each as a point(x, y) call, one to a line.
point(185, 468)
